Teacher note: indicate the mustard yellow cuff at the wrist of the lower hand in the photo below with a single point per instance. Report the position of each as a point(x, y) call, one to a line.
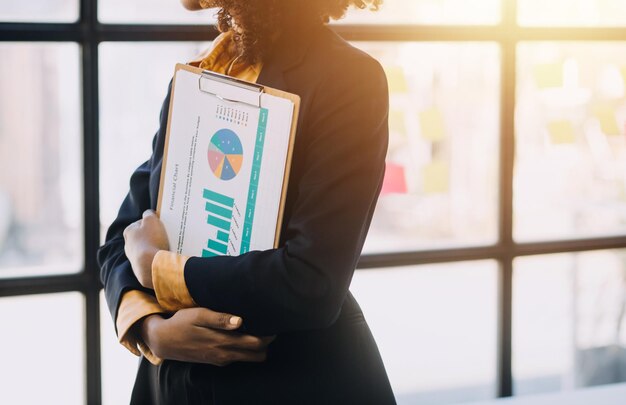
point(136, 305)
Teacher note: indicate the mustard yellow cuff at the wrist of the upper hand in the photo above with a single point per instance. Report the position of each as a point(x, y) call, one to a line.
point(168, 278)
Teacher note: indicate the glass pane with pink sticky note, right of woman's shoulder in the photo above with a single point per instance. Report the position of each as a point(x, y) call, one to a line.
point(441, 180)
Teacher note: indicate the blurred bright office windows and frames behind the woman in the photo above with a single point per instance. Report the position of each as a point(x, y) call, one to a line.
point(496, 261)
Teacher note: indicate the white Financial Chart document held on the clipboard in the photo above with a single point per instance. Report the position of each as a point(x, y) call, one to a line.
point(225, 167)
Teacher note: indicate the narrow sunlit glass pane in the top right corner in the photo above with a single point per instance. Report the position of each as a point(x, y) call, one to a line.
point(572, 13)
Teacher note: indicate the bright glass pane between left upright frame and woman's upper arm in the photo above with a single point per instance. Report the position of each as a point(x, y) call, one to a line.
point(131, 97)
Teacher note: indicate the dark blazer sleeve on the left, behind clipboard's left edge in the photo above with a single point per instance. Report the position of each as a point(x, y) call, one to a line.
point(115, 270)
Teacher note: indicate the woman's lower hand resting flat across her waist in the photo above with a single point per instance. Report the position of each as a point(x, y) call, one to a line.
point(200, 335)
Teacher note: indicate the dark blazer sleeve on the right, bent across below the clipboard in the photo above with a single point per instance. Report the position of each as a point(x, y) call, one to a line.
point(303, 284)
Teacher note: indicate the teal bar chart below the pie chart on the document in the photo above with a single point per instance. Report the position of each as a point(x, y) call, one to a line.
point(220, 211)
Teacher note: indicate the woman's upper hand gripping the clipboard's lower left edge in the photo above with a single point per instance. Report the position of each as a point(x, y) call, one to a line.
point(143, 239)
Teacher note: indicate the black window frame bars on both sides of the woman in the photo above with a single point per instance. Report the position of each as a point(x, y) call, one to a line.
point(88, 33)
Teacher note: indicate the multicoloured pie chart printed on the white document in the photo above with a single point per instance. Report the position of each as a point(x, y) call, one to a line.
point(225, 154)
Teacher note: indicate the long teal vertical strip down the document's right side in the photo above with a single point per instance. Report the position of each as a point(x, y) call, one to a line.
point(254, 181)
